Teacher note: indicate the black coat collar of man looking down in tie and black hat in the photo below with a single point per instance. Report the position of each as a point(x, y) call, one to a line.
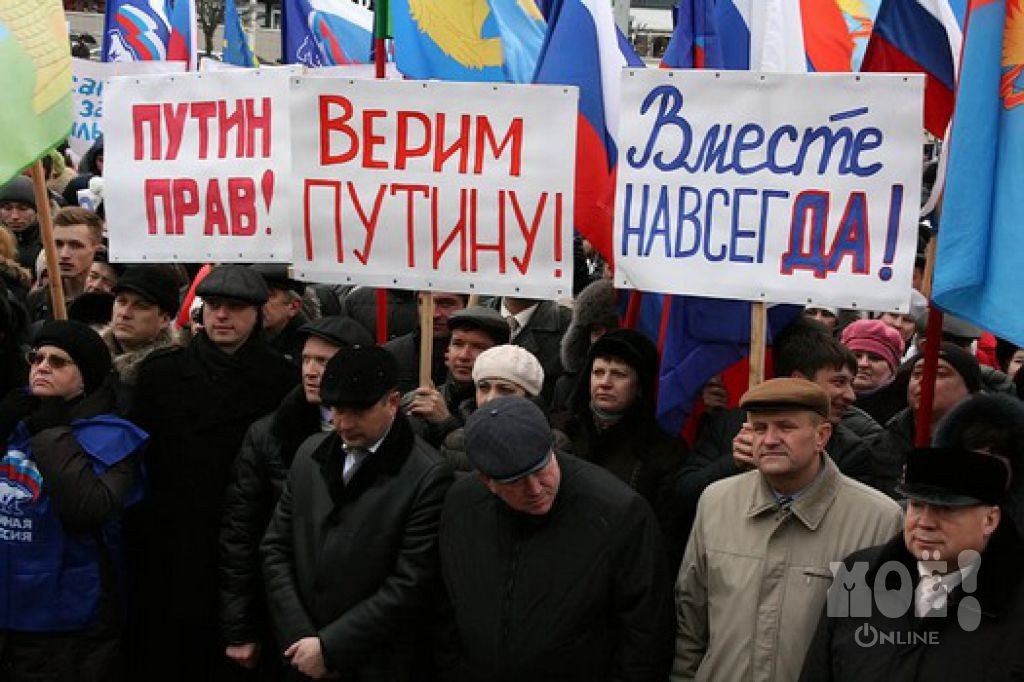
point(389, 459)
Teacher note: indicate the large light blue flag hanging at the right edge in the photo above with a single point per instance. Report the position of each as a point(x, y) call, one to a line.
point(982, 242)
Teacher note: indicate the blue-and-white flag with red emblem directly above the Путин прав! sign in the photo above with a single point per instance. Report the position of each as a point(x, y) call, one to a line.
point(137, 31)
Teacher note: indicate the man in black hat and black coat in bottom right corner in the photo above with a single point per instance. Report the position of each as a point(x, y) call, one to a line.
point(944, 601)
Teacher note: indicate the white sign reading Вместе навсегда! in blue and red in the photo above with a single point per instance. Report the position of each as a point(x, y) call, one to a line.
point(781, 188)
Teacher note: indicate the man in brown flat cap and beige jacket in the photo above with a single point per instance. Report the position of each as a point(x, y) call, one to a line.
point(756, 572)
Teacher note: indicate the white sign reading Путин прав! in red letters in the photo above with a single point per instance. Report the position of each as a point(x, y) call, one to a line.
point(201, 170)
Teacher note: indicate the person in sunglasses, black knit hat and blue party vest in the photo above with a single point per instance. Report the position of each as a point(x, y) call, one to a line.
point(68, 474)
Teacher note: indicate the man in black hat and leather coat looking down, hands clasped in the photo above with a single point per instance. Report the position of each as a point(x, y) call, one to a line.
point(351, 556)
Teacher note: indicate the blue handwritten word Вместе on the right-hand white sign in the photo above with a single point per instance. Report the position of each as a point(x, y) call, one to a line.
point(749, 149)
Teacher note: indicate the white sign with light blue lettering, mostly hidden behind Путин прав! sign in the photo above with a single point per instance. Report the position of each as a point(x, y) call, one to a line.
point(88, 90)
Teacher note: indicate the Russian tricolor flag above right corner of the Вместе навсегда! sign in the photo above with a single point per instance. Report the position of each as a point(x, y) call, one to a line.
point(924, 37)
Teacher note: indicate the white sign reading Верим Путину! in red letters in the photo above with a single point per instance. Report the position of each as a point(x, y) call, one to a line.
point(449, 187)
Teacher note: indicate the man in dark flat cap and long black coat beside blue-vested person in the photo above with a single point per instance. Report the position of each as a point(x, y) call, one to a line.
point(197, 404)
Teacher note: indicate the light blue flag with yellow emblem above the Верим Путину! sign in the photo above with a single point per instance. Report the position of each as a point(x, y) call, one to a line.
point(480, 40)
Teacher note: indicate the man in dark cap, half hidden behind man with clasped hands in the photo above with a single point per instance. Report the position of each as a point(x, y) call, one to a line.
point(261, 471)
